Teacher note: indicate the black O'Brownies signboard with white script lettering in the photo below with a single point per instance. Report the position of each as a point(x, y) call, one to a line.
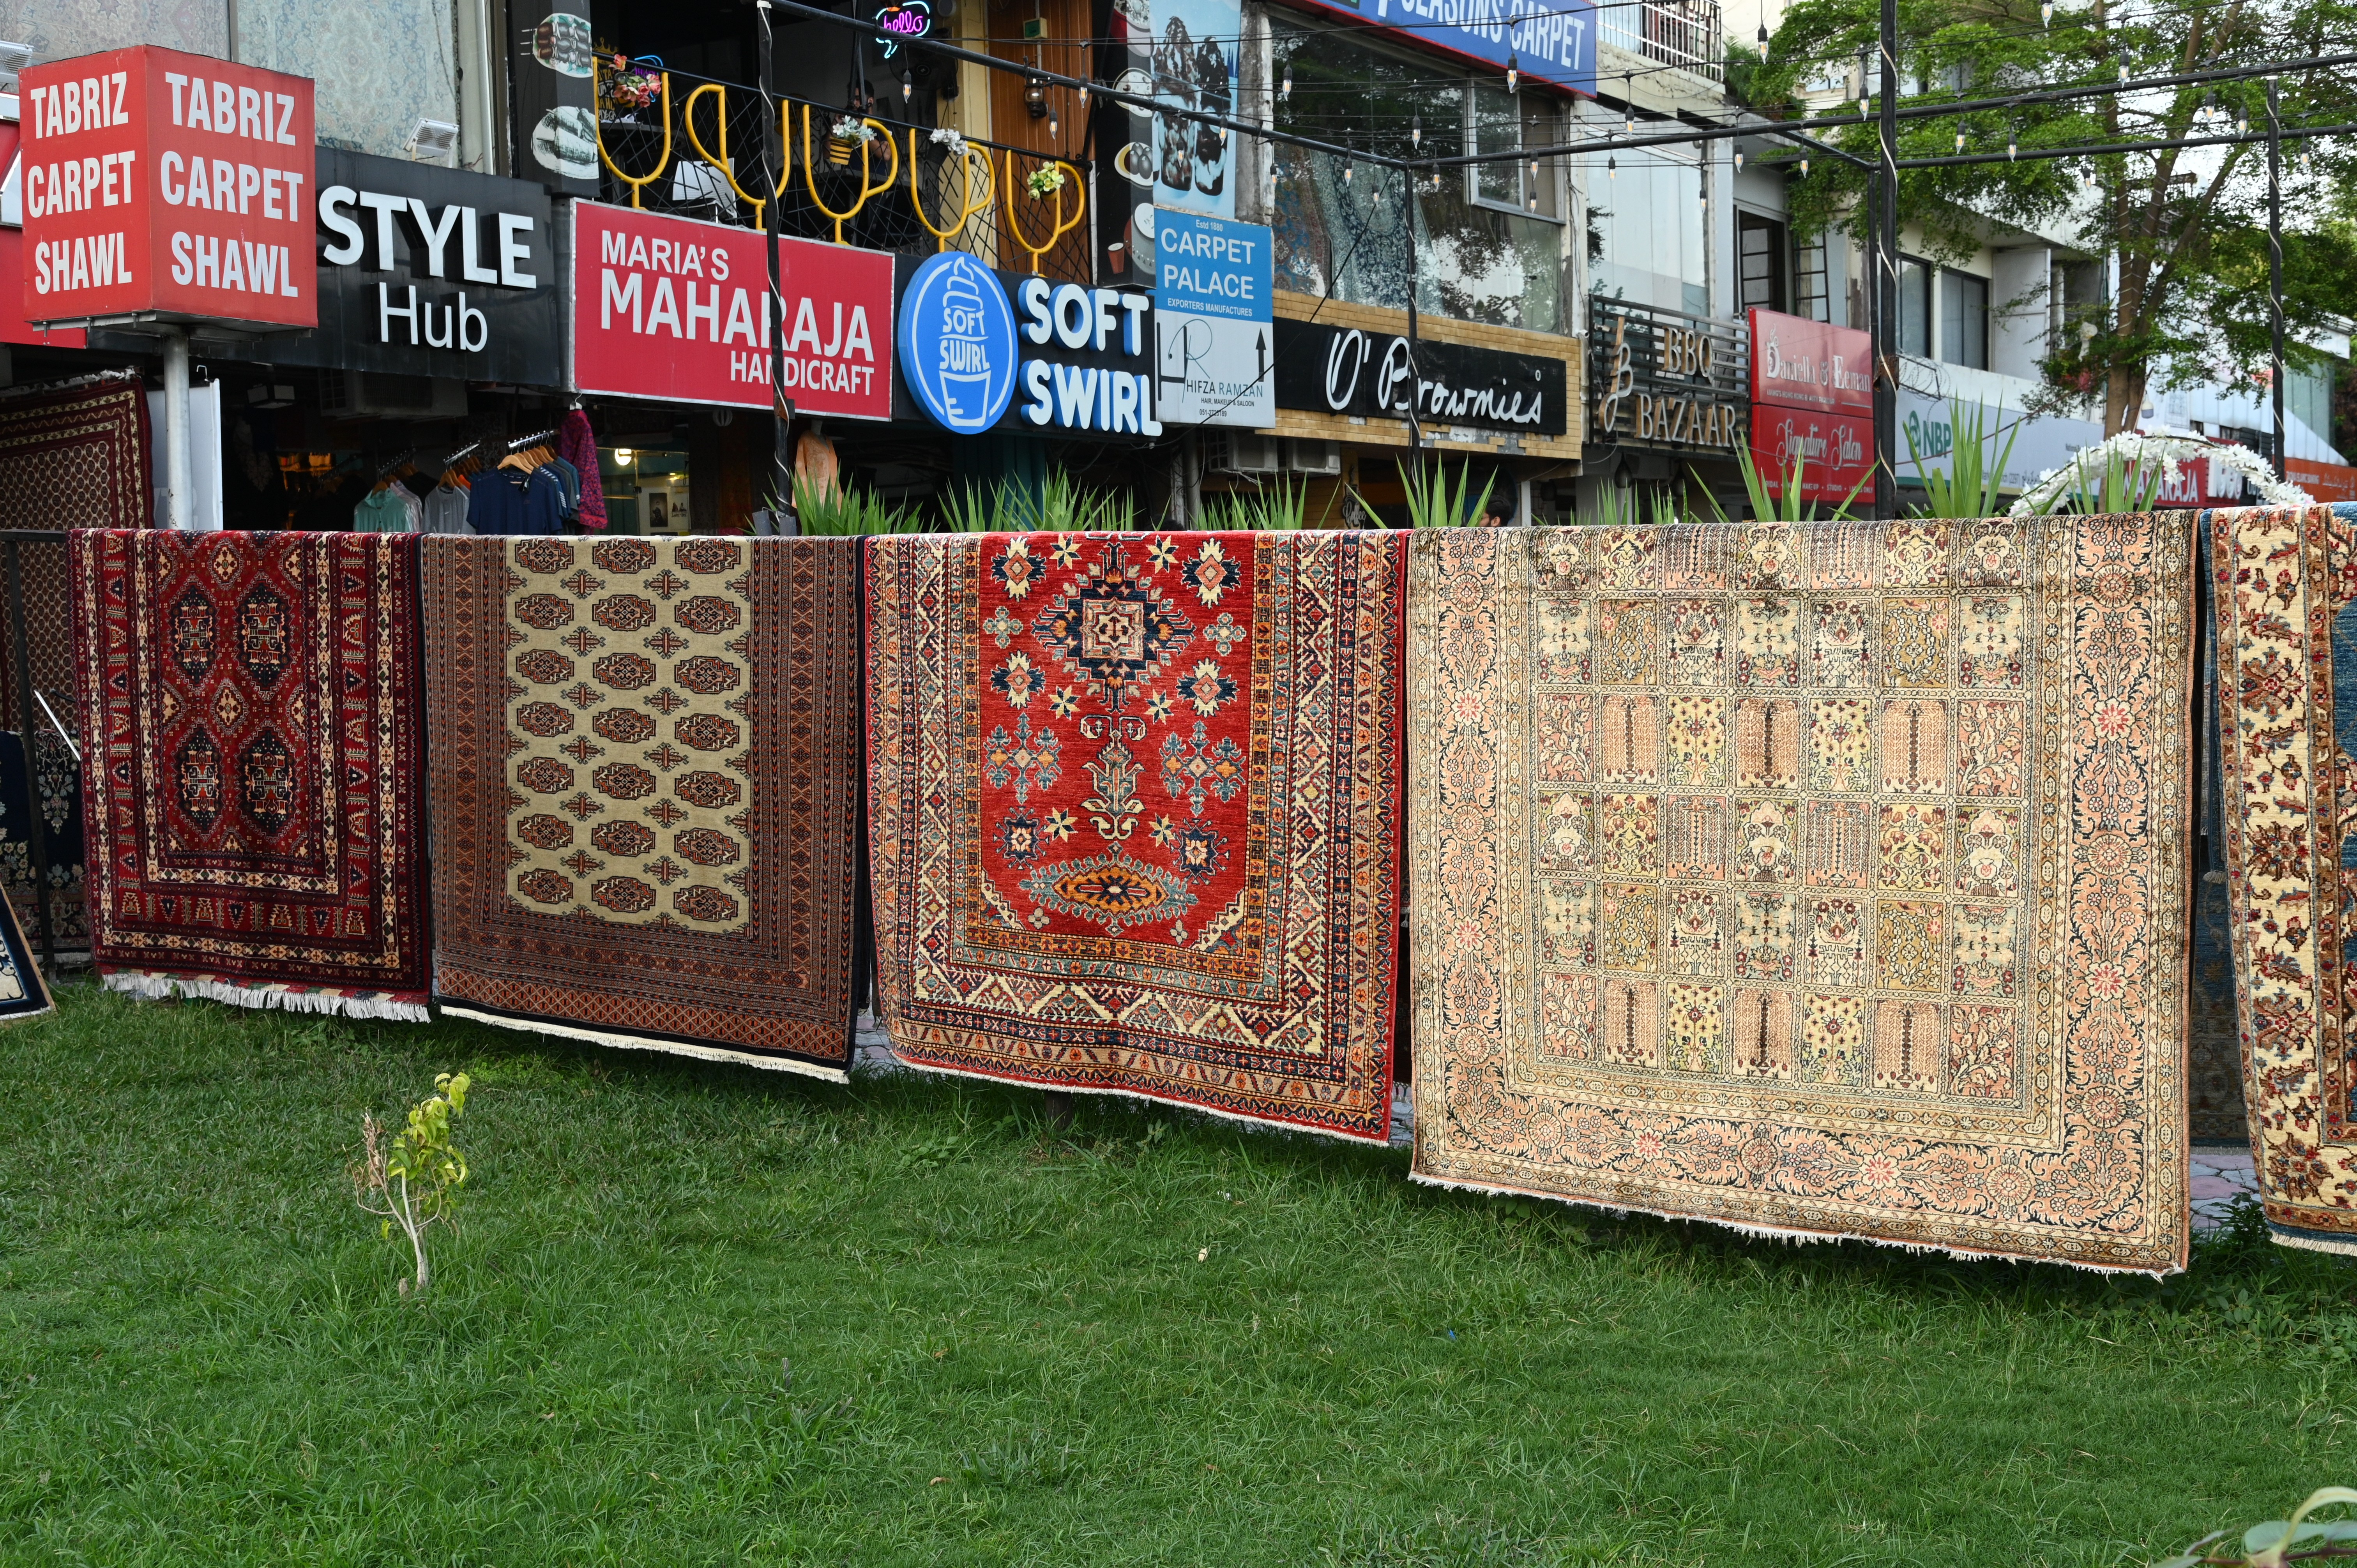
point(1331, 369)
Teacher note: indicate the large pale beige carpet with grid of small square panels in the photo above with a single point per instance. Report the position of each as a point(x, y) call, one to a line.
point(1809, 878)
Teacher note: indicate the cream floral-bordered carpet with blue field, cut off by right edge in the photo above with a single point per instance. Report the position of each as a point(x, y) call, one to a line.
point(2285, 586)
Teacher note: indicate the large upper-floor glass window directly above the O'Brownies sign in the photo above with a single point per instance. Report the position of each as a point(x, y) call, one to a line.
point(1345, 228)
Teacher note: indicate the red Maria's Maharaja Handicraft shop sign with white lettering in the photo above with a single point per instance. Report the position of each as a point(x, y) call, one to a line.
point(671, 310)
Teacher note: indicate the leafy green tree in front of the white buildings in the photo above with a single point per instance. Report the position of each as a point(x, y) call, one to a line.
point(2186, 228)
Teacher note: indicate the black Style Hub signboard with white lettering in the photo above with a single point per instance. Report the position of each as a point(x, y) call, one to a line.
point(430, 272)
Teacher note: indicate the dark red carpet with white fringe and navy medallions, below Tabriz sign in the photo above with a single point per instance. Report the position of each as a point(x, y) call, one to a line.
point(256, 775)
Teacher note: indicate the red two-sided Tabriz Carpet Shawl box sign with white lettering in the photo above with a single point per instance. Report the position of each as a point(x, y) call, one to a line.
point(169, 183)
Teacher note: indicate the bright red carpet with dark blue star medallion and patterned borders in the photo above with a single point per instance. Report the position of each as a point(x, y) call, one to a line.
point(1135, 815)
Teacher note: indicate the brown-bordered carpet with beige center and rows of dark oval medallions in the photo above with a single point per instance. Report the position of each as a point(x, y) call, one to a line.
point(647, 791)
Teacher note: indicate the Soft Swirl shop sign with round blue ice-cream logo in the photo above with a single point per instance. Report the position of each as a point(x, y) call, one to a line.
point(984, 350)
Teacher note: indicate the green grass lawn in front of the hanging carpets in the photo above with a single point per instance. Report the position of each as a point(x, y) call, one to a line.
point(1010, 1348)
